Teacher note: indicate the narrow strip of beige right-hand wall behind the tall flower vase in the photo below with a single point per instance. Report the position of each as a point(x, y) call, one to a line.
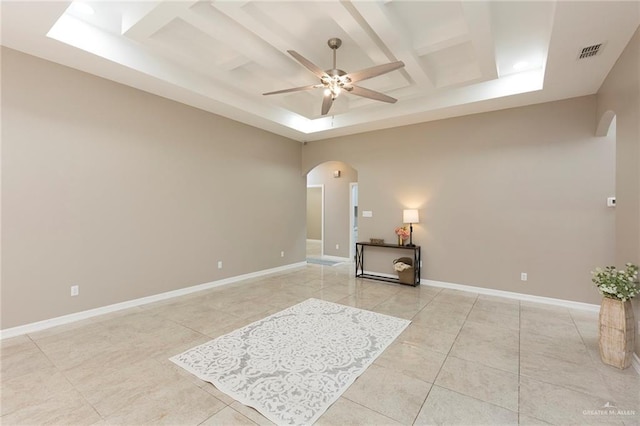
point(620, 94)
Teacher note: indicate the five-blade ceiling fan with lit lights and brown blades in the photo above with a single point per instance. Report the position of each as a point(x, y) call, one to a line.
point(335, 80)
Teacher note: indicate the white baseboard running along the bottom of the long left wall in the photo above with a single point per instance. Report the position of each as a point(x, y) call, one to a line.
point(66, 319)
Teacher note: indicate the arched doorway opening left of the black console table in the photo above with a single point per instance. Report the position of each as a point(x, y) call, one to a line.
point(331, 211)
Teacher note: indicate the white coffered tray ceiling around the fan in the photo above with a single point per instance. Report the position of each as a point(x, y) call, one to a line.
point(221, 56)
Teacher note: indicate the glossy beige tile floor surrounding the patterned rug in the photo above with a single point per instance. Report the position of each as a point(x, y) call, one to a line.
point(465, 359)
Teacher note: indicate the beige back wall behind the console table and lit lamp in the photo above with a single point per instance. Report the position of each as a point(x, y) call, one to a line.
point(500, 193)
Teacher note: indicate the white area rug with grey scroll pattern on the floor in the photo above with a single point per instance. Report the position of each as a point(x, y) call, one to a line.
point(291, 366)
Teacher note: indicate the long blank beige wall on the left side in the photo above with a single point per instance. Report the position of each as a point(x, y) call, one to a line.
point(127, 194)
